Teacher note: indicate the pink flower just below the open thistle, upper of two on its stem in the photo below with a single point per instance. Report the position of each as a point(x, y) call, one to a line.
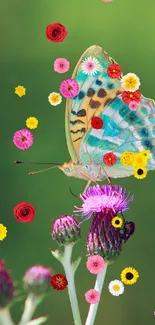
point(95, 264)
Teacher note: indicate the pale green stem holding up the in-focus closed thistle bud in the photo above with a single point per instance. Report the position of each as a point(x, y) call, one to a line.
point(66, 262)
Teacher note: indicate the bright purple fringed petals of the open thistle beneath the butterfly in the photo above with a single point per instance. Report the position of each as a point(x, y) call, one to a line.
point(97, 198)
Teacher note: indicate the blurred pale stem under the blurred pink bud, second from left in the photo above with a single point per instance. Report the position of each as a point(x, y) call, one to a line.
point(31, 304)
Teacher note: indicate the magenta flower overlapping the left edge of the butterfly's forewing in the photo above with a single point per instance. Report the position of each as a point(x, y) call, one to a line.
point(69, 88)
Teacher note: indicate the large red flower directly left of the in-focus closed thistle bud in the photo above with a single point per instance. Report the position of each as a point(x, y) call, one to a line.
point(24, 212)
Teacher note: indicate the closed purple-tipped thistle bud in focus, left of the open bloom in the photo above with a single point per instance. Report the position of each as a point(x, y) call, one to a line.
point(66, 230)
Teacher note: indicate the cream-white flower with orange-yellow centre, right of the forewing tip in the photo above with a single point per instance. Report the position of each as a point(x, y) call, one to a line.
point(130, 82)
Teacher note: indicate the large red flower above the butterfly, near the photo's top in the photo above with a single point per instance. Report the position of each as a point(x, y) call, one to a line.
point(56, 32)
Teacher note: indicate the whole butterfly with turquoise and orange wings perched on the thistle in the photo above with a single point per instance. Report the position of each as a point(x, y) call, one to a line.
point(100, 97)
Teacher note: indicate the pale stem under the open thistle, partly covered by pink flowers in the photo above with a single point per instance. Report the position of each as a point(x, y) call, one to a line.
point(94, 307)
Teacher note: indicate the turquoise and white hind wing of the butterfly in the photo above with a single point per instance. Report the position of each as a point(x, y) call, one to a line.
point(123, 130)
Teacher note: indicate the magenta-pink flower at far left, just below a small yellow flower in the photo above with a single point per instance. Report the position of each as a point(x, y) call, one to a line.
point(23, 139)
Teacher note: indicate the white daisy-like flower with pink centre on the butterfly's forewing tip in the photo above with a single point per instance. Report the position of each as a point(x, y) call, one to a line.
point(90, 66)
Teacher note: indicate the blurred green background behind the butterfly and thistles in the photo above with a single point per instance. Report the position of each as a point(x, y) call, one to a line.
point(125, 29)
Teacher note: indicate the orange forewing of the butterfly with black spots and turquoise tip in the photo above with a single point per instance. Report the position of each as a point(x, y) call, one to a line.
point(91, 99)
